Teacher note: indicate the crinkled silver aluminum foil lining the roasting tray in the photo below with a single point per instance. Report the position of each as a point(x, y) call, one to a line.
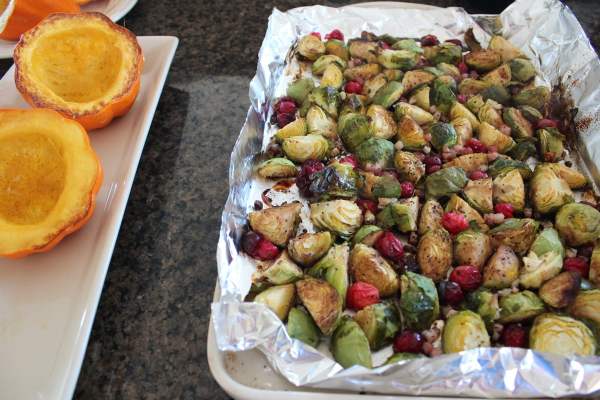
point(550, 35)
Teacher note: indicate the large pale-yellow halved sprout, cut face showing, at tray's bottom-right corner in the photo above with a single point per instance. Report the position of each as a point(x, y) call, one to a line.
point(558, 334)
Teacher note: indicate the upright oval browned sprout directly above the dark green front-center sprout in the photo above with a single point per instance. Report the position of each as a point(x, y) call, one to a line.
point(434, 253)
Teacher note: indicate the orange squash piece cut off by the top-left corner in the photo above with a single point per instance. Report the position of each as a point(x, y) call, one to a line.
point(19, 16)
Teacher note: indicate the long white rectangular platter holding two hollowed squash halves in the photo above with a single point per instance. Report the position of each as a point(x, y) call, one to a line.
point(48, 301)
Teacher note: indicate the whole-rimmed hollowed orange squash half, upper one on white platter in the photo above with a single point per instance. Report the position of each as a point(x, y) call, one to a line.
point(81, 65)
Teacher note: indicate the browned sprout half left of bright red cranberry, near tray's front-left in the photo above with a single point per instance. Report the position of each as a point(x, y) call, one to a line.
point(322, 301)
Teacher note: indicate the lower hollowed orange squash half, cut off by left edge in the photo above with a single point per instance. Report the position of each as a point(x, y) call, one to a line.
point(49, 178)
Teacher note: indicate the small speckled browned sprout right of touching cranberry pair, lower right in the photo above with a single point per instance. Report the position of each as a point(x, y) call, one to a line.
point(502, 269)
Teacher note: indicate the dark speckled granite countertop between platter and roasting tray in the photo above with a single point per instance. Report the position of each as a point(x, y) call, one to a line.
point(149, 336)
